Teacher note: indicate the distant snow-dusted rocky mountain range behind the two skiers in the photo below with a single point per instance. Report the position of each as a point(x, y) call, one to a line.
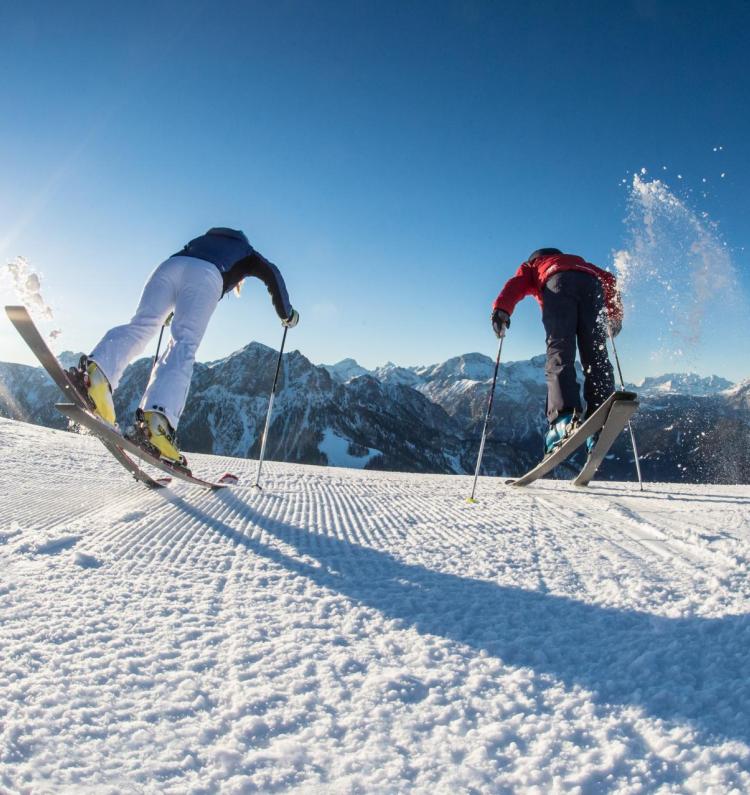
point(418, 419)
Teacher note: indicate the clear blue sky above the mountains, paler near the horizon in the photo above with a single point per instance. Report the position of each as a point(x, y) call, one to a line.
point(396, 160)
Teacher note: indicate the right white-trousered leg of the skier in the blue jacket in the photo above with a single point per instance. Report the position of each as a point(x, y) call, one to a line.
point(200, 289)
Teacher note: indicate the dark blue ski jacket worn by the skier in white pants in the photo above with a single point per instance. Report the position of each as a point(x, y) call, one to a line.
point(235, 258)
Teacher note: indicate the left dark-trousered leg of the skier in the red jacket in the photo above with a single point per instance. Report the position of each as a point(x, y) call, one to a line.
point(560, 317)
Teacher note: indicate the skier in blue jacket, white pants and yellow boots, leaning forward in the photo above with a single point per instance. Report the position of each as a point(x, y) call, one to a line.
point(190, 283)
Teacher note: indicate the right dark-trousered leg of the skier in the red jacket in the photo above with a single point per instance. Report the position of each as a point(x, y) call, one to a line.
point(599, 381)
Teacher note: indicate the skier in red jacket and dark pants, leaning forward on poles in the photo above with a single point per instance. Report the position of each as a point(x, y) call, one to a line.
point(578, 301)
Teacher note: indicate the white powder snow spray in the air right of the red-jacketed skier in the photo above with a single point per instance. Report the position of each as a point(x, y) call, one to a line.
point(684, 302)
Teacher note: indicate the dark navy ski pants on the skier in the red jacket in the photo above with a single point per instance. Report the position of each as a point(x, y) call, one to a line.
point(573, 307)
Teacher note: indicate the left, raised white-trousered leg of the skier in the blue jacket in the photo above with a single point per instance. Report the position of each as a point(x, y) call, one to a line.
point(122, 344)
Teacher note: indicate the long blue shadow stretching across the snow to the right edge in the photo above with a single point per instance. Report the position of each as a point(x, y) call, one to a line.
point(693, 669)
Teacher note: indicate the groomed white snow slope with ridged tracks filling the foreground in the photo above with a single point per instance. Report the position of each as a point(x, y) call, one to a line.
point(350, 631)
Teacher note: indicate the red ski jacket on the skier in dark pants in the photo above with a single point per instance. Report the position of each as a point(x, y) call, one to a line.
point(531, 277)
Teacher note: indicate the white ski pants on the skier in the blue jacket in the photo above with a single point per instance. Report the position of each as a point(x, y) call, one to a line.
point(191, 288)
